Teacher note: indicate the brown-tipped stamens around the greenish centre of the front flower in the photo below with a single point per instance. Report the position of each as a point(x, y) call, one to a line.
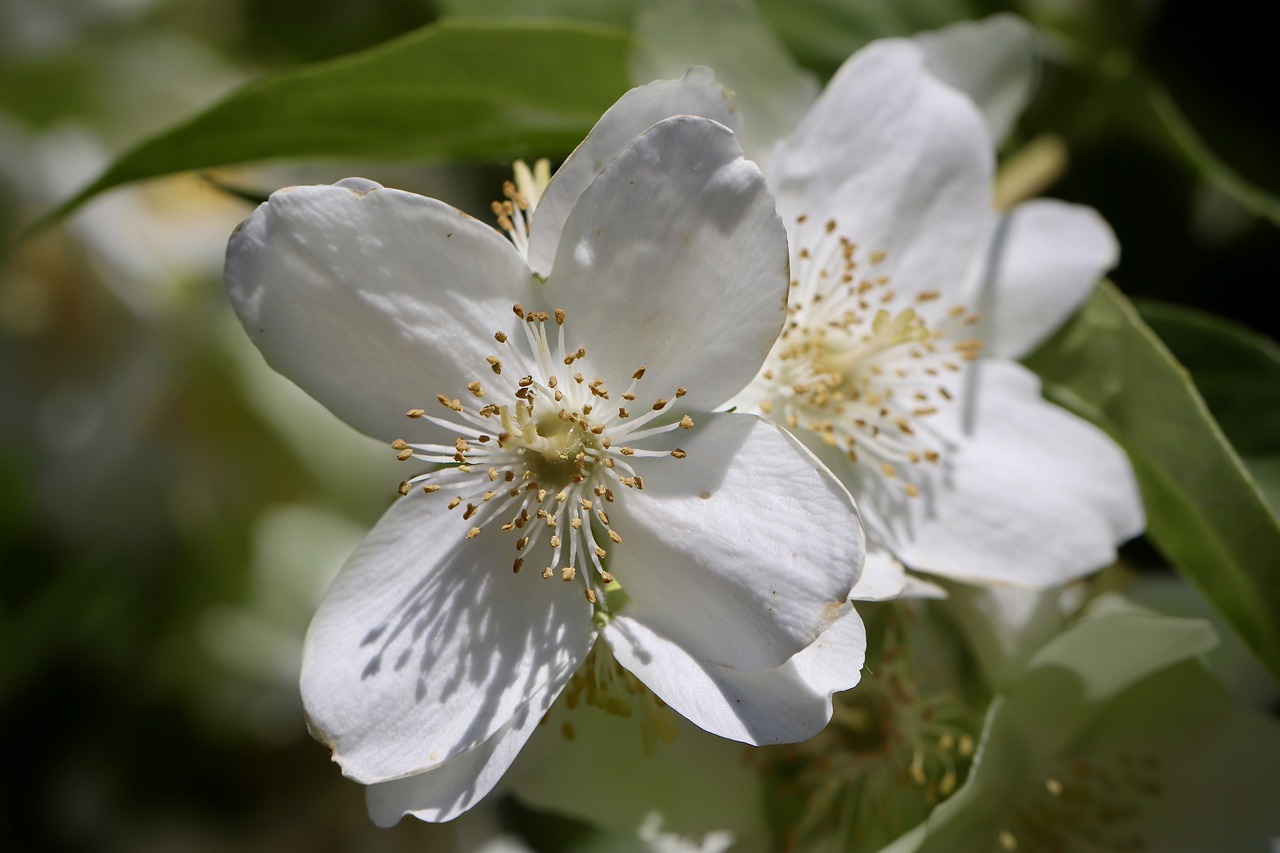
point(540, 451)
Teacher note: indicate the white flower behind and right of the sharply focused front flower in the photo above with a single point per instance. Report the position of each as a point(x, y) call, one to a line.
point(911, 298)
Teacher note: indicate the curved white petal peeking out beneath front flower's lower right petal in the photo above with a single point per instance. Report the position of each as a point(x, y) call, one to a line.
point(784, 705)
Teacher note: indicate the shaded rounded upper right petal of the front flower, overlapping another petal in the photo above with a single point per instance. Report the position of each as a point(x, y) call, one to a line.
point(674, 259)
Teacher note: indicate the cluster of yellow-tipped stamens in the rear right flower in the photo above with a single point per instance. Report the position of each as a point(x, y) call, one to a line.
point(857, 367)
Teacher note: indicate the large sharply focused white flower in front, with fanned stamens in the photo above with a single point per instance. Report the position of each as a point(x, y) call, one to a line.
point(575, 483)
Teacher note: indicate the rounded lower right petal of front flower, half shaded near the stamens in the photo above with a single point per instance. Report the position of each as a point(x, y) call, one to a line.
point(740, 554)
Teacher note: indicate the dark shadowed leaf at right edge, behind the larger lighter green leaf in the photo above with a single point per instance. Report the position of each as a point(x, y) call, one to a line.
point(1238, 373)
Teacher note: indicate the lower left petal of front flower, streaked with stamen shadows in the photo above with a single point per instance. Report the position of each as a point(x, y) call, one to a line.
point(427, 645)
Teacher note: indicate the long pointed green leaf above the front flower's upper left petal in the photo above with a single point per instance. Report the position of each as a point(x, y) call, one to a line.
point(456, 90)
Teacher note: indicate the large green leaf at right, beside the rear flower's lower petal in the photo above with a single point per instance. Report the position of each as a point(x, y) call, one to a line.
point(1205, 510)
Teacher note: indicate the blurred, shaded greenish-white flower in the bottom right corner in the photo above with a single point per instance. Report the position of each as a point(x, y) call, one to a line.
point(1091, 750)
